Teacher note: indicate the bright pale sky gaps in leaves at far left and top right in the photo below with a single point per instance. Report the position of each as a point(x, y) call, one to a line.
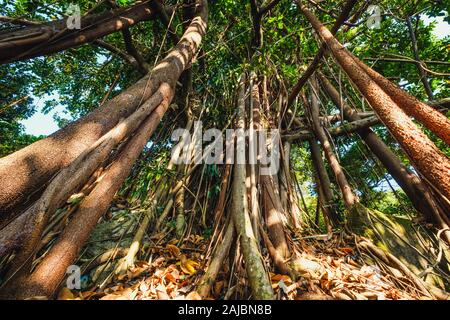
point(44, 124)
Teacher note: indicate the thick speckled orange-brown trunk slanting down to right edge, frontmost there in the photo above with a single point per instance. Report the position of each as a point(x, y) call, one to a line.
point(424, 155)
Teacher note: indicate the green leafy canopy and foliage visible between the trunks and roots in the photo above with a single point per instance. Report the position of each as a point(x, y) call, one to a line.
point(80, 78)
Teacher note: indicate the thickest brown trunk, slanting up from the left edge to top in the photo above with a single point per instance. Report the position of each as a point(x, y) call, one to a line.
point(35, 165)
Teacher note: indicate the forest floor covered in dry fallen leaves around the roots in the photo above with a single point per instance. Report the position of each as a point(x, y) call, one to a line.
point(329, 267)
